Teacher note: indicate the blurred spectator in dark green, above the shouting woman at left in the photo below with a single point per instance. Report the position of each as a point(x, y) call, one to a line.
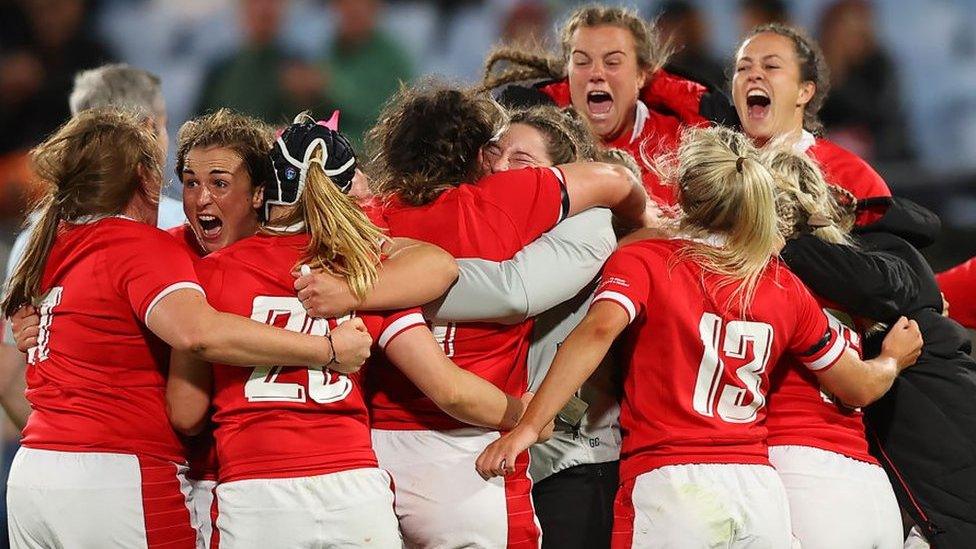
point(253, 80)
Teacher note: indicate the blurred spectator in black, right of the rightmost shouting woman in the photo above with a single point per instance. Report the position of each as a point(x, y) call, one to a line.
point(863, 111)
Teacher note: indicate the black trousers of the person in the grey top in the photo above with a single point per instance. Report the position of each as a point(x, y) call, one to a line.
point(575, 506)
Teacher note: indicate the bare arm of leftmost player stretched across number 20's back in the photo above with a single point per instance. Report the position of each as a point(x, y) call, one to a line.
point(185, 321)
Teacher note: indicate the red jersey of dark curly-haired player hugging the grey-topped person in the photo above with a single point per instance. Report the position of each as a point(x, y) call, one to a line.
point(492, 219)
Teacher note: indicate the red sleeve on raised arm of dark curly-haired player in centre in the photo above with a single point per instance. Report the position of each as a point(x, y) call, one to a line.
point(534, 199)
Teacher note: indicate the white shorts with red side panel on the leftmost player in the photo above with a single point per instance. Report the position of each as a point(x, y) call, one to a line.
point(97, 500)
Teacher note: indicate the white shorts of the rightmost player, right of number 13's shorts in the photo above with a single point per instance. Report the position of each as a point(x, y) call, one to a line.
point(837, 502)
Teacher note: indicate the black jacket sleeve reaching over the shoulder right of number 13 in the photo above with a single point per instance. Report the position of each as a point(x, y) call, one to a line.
point(873, 284)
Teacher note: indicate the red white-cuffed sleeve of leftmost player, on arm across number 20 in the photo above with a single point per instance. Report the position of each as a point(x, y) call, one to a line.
point(149, 266)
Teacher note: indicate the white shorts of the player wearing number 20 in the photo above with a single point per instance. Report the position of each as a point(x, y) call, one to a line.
point(351, 508)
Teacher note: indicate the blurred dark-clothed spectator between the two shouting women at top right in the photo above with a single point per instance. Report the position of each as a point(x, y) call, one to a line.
point(683, 25)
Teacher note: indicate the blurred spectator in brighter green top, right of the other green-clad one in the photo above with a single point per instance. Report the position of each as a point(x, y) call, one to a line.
point(361, 68)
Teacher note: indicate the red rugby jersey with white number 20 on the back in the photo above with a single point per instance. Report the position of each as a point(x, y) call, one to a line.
point(286, 421)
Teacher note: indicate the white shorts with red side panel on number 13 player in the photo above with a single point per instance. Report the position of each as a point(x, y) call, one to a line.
point(698, 506)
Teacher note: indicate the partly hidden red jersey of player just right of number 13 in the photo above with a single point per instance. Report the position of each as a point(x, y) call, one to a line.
point(801, 413)
